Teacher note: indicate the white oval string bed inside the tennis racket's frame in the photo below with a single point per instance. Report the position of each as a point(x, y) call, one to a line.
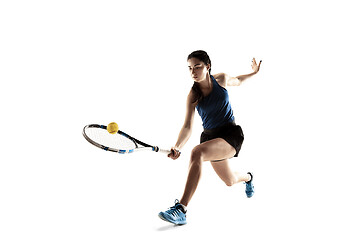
point(116, 141)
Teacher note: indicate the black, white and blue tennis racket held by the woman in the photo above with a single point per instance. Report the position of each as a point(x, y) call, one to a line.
point(119, 142)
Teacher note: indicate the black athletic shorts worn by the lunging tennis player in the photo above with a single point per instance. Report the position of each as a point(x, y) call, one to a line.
point(230, 132)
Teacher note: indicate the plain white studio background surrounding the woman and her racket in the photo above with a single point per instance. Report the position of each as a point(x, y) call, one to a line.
point(65, 64)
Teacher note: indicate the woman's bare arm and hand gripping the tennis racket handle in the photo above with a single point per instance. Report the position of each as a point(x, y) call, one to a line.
point(186, 129)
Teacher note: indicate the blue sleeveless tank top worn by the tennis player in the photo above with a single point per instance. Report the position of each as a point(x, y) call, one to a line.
point(215, 109)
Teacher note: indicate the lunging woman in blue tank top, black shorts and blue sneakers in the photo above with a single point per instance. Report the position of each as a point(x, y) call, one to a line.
point(221, 138)
